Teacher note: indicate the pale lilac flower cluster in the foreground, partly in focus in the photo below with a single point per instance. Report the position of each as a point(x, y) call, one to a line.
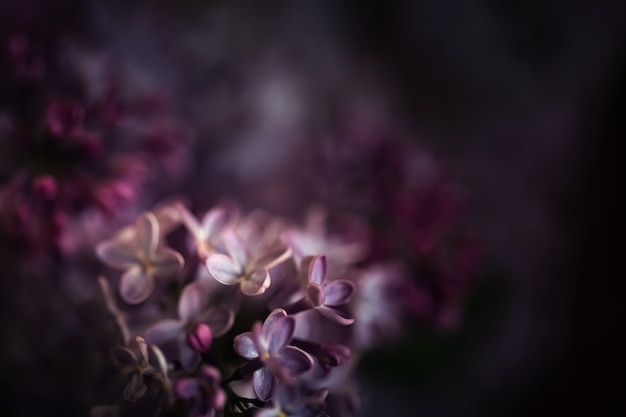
point(263, 320)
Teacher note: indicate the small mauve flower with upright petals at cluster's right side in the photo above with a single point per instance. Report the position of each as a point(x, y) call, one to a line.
point(326, 296)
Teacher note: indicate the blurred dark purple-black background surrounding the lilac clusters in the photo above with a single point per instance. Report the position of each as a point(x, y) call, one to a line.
point(522, 103)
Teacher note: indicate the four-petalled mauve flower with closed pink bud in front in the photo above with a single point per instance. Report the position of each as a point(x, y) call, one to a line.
point(195, 327)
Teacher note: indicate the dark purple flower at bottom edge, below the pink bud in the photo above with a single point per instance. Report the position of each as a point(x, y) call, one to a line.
point(204, 391)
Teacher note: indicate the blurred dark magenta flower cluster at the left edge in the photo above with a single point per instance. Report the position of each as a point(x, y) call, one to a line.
point(66, 147)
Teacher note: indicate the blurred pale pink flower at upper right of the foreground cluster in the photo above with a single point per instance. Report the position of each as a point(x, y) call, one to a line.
point(313, 240)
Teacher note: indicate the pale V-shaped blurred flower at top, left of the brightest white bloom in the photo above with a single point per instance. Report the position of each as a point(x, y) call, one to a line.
point(206, 233)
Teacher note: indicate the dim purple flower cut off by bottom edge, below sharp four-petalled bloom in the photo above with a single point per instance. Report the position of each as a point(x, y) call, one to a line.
point(292, 402)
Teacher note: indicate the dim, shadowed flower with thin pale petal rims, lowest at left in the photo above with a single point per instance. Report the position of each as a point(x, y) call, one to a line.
point(135, 365)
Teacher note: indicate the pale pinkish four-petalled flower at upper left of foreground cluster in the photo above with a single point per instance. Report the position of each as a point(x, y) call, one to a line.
point(138, 252)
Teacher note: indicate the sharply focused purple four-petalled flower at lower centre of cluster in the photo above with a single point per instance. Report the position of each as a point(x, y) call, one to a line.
point(269, 343)
